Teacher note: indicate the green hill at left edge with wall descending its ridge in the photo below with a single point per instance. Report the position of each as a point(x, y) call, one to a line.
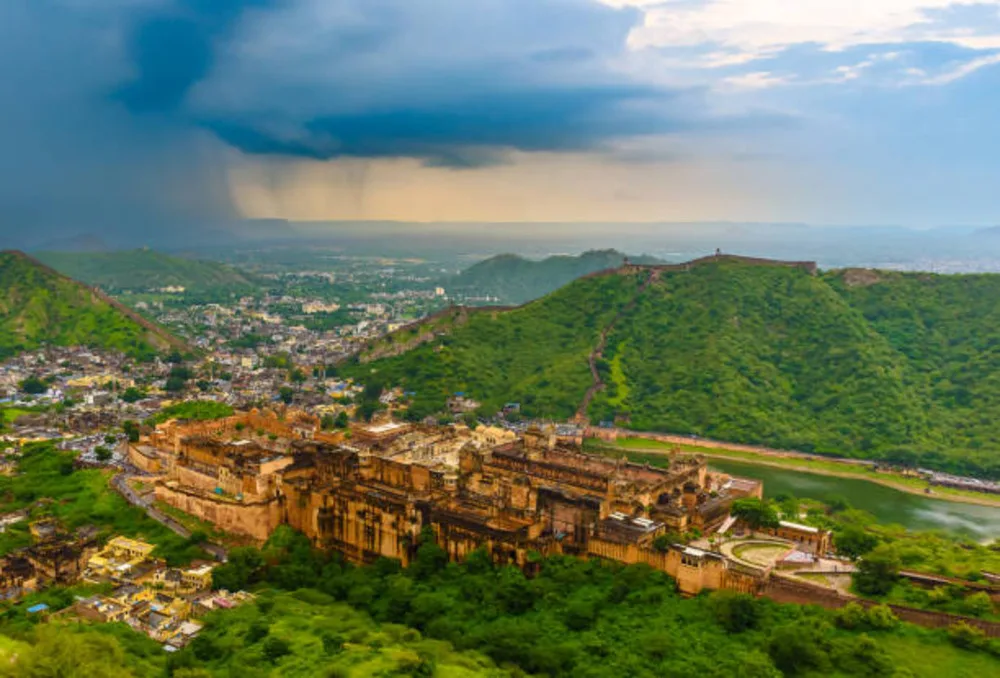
point(40, 306)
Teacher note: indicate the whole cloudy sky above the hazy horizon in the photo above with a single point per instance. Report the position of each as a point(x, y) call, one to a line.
point(125, 116)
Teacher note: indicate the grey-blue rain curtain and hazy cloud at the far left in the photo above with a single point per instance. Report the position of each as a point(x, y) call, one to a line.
point(75, 162)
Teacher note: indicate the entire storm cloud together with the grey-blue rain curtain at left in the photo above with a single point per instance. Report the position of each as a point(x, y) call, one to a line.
point(119, 116)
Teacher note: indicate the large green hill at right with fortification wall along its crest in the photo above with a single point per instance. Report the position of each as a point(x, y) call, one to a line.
point(869, 365)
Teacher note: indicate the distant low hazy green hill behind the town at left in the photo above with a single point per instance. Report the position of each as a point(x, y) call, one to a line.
point(143, 269)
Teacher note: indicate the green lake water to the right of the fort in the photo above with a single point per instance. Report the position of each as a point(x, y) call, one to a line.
point(887, 505)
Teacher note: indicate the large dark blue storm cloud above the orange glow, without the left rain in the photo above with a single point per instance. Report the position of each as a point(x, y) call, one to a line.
point(450, 83)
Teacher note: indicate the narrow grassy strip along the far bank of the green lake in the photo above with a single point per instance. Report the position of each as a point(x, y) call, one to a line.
point(787, 460)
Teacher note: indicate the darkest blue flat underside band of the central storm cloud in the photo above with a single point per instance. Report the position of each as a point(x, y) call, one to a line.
point(471, 133)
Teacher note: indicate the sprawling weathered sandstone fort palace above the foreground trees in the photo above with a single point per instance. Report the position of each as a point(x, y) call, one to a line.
point(371, 493)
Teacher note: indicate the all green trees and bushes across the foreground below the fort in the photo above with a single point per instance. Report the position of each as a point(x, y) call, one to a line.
point(316, 615)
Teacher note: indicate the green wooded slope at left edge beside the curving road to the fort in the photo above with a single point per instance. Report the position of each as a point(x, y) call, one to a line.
point(48, 486)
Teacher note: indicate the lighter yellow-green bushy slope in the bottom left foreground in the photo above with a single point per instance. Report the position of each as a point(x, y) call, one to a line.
point(302, 634)
